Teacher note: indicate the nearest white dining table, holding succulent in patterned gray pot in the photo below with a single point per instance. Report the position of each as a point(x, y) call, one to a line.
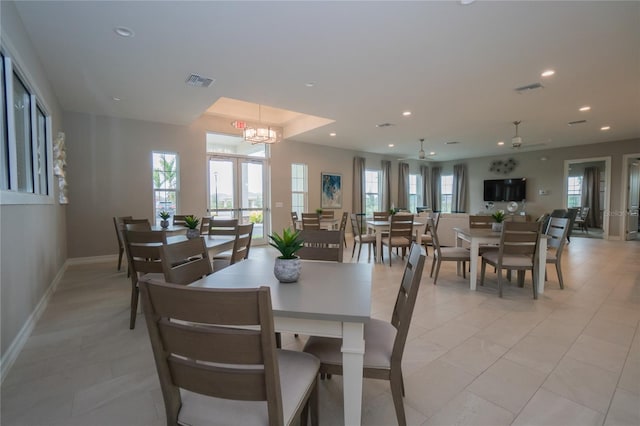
point(330, 299)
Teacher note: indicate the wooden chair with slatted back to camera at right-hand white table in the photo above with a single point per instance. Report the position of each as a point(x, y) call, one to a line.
point(517, 252)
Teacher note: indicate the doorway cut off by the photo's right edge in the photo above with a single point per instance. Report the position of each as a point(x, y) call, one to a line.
point(631, 196)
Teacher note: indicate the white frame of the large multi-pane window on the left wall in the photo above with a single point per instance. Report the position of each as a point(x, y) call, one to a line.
point(39, 193)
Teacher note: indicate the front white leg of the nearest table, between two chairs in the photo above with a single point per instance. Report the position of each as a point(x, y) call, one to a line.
point(352, 358)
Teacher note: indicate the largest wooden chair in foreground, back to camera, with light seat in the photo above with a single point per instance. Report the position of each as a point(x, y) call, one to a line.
point(217, 361)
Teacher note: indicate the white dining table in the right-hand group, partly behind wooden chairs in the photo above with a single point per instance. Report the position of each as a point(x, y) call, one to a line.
point(475, 237)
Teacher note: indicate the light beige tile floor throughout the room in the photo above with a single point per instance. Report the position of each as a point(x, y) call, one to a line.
point(570, 358)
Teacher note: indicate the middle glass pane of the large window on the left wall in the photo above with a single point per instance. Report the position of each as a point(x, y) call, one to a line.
point(24, 157)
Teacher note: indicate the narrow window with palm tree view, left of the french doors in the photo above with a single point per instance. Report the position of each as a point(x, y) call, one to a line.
point(165, 183)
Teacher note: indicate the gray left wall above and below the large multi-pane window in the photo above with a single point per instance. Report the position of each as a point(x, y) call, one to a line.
point(33, 247)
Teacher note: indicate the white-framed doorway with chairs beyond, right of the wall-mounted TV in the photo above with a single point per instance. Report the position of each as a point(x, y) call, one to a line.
point(573, 168)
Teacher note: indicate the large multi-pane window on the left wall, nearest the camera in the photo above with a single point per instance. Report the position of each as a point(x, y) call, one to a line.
point(25, 132)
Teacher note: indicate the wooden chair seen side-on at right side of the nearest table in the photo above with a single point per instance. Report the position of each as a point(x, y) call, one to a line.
point(384, 341)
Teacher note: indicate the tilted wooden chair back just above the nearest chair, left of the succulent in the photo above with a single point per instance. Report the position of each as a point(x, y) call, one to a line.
point(186, 261)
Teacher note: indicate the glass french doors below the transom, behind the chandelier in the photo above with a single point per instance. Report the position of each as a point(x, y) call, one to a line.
point(237, 189)
